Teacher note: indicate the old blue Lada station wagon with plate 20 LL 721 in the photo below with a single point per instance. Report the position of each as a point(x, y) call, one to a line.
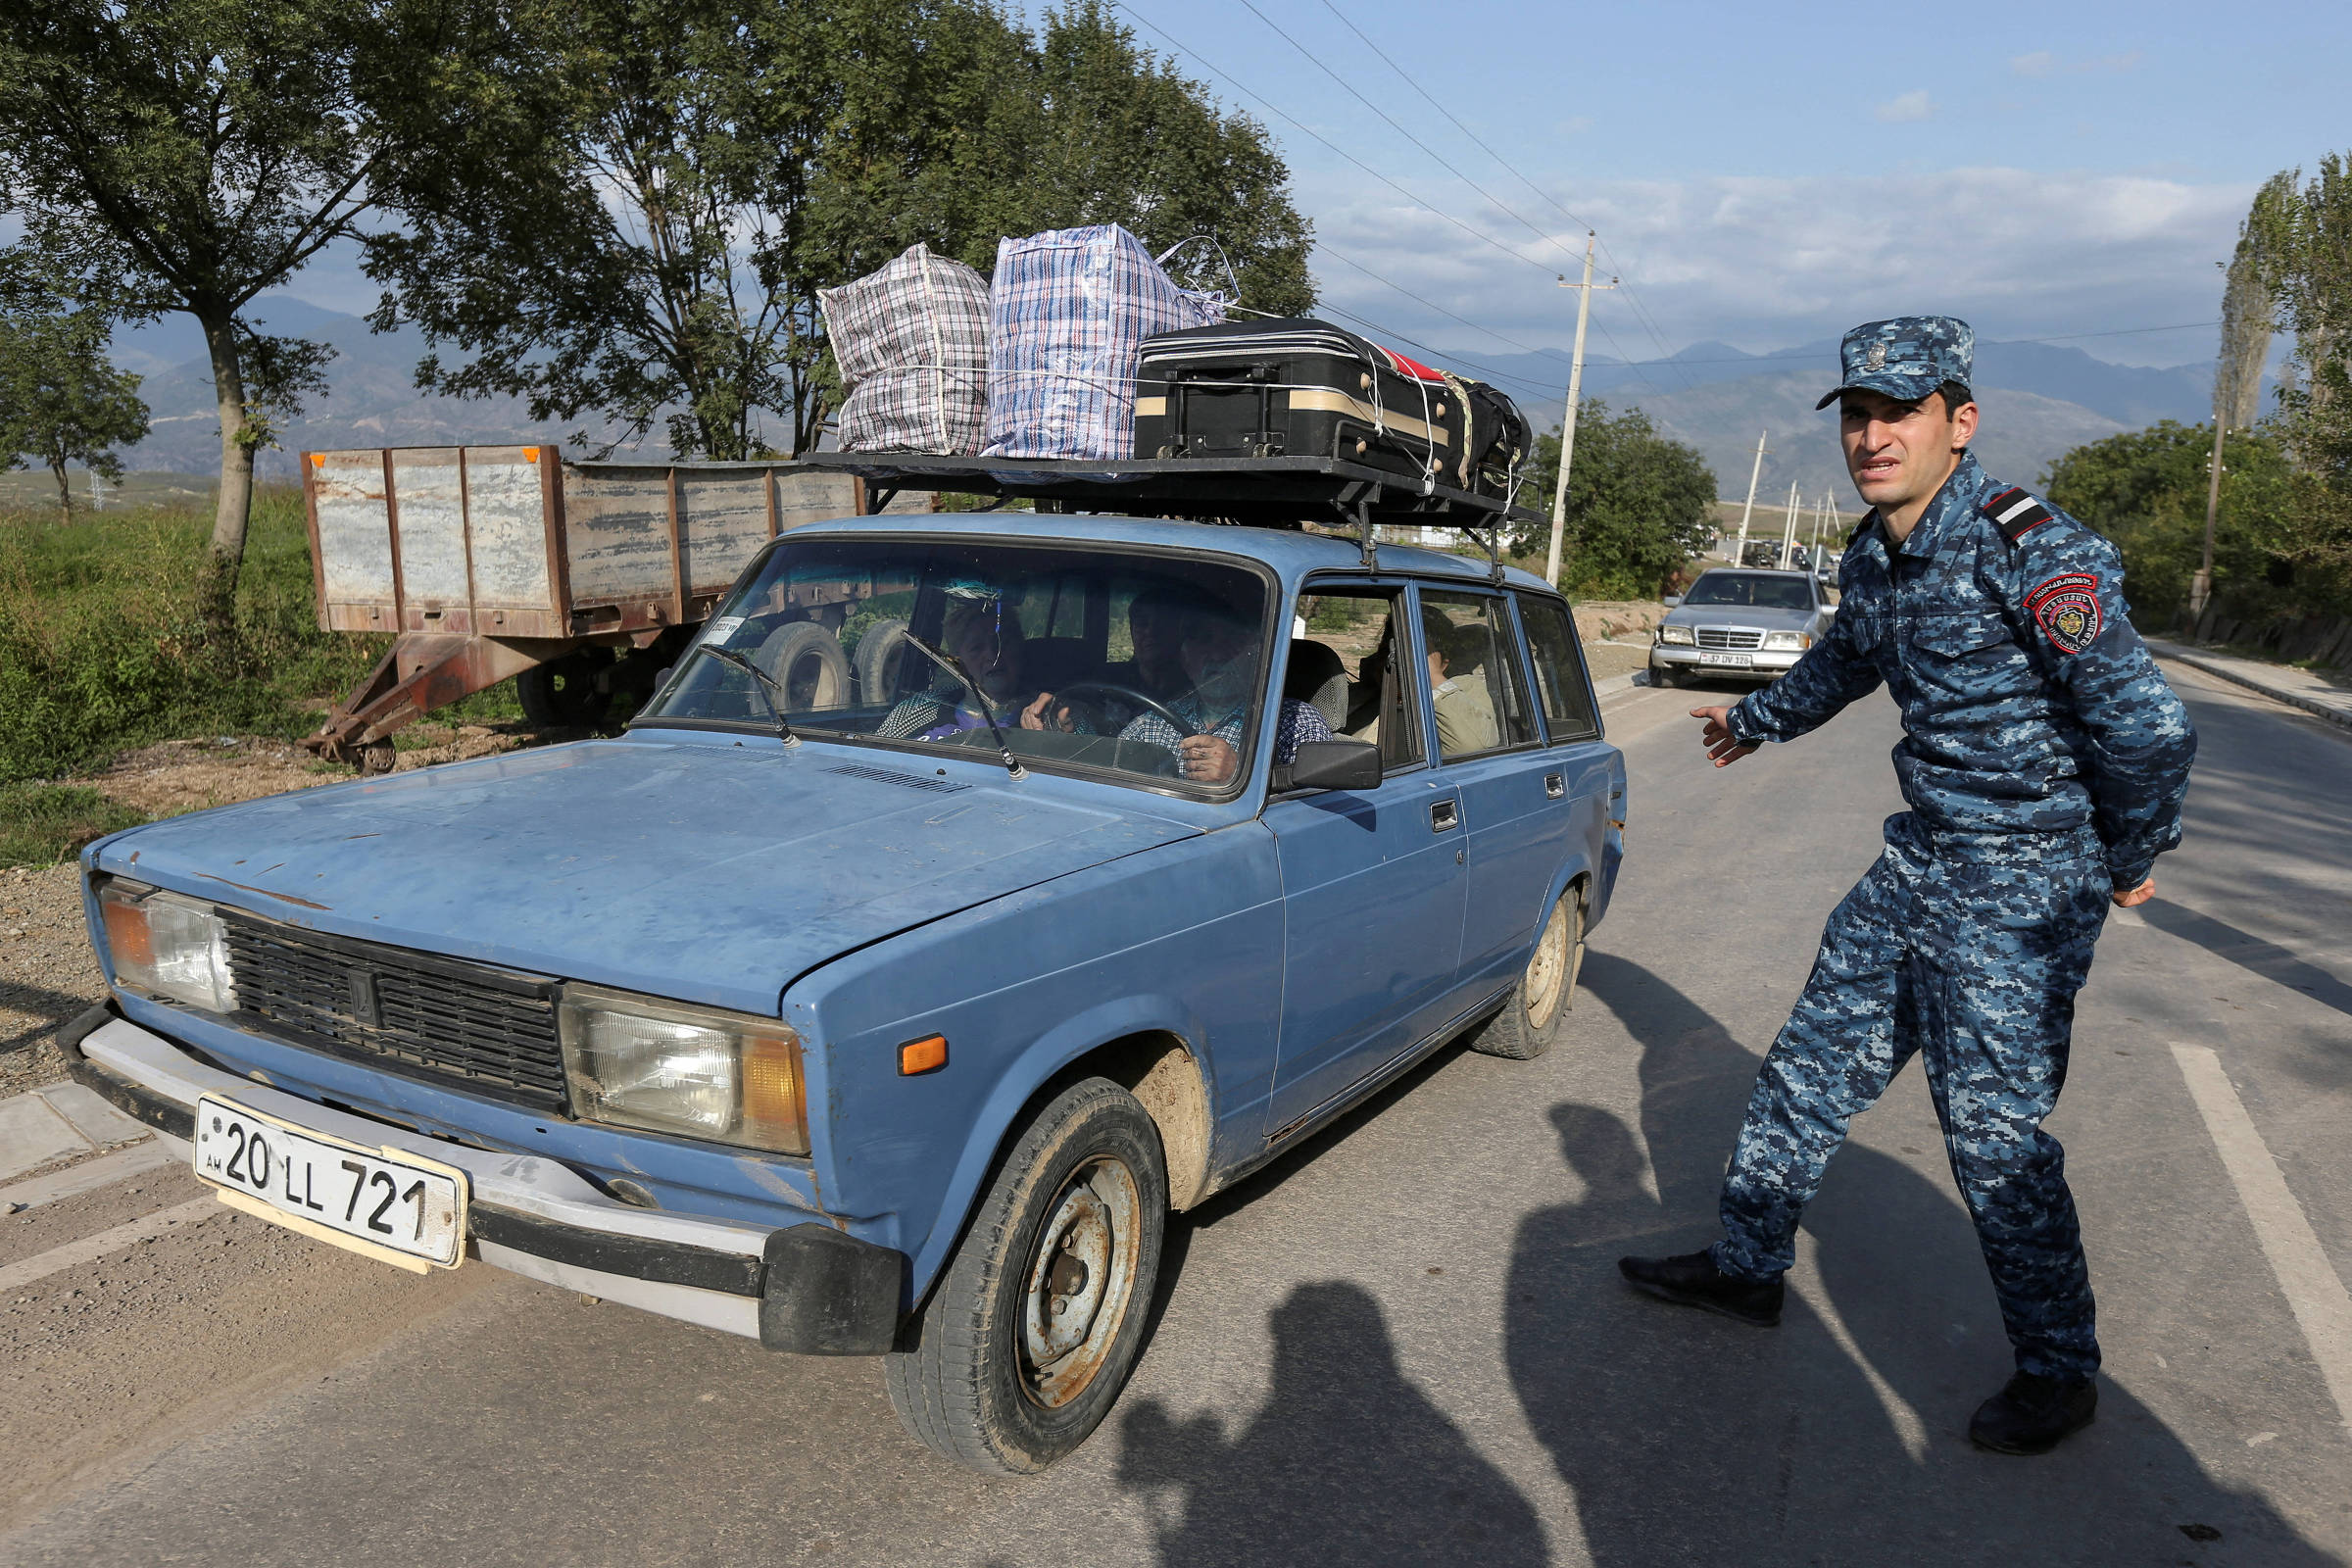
point(890, 1003)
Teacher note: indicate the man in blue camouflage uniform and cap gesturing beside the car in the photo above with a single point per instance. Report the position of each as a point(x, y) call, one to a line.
point(2045, 763)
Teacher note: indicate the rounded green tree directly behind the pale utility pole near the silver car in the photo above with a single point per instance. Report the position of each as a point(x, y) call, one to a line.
point(1641, 507)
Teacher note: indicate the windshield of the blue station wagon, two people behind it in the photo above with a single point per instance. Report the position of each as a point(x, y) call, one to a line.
point(1078, 659)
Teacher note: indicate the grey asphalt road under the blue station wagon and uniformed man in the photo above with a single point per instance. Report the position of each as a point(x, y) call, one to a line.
point(1408, 1343)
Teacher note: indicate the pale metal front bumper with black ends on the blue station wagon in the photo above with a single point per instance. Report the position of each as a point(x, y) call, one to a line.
point(803, 1287)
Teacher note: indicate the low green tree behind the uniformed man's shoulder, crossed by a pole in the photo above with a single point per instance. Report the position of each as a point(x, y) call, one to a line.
point(2146, 490)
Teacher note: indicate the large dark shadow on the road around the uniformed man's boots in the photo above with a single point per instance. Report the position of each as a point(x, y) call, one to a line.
point(1692, 1440)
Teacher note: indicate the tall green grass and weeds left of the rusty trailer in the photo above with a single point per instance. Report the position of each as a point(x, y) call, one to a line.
point(102, 645)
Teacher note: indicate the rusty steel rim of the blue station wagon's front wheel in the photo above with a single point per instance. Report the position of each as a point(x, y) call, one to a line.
point(1081, 1280)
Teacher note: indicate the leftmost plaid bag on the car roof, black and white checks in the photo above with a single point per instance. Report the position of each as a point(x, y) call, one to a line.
point(914, 351)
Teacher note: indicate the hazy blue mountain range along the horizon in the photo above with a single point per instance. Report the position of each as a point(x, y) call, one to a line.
point(2040, 401)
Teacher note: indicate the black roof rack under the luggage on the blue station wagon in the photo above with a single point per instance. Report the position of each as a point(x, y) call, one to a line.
point(1252, 492)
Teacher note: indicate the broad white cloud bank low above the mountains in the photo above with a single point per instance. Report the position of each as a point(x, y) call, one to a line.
point(1779, 262)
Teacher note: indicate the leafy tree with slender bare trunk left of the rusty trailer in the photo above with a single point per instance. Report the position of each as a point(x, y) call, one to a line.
point(192, 154)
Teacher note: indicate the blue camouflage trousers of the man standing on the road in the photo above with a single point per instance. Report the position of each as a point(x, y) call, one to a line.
point(1967, 951)
